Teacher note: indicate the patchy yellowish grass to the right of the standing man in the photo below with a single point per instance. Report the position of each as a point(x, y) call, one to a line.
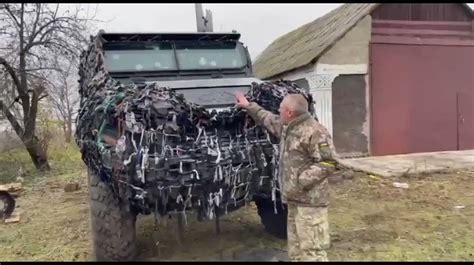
point(376, 221)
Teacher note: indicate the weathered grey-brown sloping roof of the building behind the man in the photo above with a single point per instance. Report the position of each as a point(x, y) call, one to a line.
point(305, 44)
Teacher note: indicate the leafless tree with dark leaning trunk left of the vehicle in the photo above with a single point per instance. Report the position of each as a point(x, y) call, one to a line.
point(31, 37)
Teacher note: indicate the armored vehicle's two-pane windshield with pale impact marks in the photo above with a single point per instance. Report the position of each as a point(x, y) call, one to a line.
point(168, 56)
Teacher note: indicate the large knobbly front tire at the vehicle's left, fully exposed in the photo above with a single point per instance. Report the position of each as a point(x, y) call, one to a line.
point(113, 224)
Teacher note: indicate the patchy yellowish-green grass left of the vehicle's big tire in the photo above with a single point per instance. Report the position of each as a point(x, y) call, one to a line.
point(53, 224)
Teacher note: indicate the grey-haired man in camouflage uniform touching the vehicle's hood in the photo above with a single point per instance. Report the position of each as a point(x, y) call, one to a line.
point(306, 148)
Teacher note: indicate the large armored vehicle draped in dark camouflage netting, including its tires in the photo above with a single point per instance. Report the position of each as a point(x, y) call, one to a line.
point(159, 133)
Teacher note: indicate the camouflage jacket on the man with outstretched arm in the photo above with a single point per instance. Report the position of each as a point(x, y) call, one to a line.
point(305, 147)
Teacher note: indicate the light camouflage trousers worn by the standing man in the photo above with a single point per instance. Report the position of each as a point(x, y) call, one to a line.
point(308, 233)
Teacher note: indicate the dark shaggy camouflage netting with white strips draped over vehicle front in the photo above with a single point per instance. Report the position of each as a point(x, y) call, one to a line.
point(155, 148)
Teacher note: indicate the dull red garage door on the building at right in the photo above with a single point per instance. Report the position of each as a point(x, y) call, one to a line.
point(421, 98)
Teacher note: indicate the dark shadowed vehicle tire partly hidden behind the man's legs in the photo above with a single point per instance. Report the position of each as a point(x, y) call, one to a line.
point(275, 224)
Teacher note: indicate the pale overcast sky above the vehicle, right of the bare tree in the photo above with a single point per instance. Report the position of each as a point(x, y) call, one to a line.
point(259, 24)
